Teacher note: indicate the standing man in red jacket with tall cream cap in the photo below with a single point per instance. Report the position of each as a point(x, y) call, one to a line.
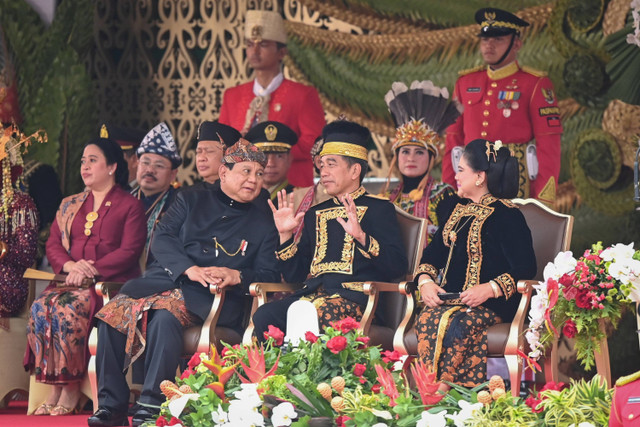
point(271, 97)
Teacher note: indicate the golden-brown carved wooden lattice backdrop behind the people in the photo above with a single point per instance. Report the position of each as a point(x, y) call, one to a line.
point(171, 60)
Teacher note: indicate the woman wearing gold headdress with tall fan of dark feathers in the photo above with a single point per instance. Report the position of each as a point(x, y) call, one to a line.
point(421, 113)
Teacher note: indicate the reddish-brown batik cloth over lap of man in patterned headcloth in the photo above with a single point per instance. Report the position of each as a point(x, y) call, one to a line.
point(129, 316)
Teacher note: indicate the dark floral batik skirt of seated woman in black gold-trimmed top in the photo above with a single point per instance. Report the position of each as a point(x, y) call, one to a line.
point(462, 360)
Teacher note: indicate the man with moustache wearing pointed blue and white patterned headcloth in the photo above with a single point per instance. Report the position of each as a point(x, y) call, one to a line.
point(158, 161)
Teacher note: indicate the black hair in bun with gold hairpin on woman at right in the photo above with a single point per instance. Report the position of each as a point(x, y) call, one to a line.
point(501, 167)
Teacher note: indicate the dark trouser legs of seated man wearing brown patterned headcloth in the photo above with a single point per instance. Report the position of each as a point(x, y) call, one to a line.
point(163, 351)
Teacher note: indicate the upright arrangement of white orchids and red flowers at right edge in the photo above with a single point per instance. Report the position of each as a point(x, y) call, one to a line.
point(578, 295)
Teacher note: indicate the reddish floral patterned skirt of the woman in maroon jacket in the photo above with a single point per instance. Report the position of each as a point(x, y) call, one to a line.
point(60, 320)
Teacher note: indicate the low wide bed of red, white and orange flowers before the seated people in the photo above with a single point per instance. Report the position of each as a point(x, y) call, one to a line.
point(332, 379)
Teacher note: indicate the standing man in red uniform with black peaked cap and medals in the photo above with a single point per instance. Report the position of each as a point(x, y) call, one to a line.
point(507, 102)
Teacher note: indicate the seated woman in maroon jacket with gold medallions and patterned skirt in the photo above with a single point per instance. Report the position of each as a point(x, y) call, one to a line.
point(98, 234)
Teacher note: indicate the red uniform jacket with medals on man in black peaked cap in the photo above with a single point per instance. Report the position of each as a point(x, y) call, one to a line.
point(514, 105)
